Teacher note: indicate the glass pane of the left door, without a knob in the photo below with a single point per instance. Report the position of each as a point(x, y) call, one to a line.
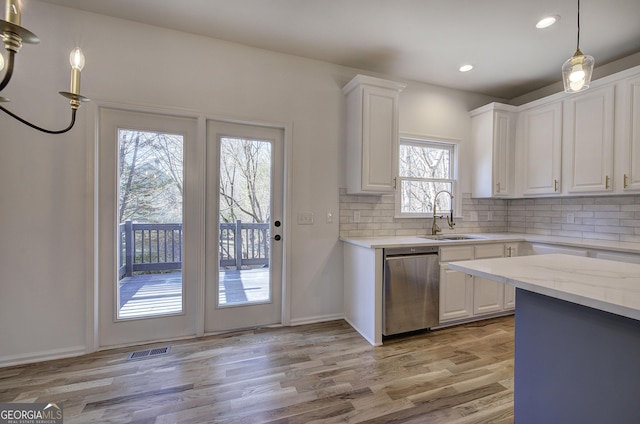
point(150, 194)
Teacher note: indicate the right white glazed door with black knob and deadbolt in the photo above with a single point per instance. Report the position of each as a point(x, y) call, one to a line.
point(244, 227)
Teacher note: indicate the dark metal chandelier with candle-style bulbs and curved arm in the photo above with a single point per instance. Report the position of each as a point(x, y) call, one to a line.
point(13, 35)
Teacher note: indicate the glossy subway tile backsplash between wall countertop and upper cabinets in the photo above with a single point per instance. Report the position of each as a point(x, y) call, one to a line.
point(602, 217)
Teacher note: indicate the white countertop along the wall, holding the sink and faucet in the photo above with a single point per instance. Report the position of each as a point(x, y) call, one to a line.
point(480, 238)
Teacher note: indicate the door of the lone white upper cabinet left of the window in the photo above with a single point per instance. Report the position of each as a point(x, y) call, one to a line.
point(379, 139)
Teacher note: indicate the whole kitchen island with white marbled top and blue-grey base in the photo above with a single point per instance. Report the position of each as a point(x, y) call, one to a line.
point(577, 336)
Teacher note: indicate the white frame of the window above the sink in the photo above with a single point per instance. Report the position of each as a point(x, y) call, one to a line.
point(422, 141)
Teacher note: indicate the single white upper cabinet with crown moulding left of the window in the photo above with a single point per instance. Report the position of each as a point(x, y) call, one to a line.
point(372, 134)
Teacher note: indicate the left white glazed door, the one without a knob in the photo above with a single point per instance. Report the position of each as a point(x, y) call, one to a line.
point(148, 233)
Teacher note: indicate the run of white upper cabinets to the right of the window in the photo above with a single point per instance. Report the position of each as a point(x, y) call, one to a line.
point(566, 144)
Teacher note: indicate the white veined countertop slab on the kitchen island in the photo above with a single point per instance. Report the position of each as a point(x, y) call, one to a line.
point(605, 285)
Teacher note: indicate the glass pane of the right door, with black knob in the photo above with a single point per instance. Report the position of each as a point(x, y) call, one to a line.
point(245, 211)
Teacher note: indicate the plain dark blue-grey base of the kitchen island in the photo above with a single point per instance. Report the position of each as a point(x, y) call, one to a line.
point(574, 364)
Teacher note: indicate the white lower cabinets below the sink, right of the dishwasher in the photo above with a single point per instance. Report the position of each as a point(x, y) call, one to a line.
point(463, 297)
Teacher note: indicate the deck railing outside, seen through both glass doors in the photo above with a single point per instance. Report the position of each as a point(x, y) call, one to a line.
point(158, 247)
